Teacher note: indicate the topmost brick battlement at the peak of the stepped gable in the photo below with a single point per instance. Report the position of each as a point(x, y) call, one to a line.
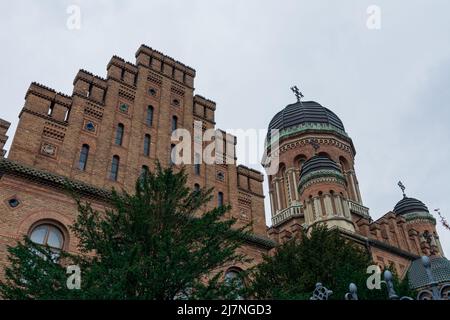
point(166, 65)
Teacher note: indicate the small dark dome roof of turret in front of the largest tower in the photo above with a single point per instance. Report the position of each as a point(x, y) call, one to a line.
point(319, 166)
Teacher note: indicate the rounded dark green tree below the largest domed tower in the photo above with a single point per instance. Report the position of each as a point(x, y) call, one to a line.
point(325, 257)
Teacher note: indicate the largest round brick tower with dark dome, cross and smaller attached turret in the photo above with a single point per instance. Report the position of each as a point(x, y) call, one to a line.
point(315, 180)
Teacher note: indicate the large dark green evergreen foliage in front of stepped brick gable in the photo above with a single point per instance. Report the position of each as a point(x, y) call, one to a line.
point(152, 244)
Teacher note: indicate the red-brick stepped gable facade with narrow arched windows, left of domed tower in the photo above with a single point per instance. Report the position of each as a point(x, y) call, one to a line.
point(103, 136)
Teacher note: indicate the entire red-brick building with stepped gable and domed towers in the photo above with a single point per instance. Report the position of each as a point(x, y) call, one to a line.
point(111, 129)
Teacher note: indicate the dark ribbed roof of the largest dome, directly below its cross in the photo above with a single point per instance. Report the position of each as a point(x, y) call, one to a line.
point(304, 112)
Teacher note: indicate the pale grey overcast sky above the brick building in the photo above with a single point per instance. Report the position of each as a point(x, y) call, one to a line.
point(390, 86)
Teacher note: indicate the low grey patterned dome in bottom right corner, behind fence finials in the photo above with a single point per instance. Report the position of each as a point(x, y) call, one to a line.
point(440, 269)
